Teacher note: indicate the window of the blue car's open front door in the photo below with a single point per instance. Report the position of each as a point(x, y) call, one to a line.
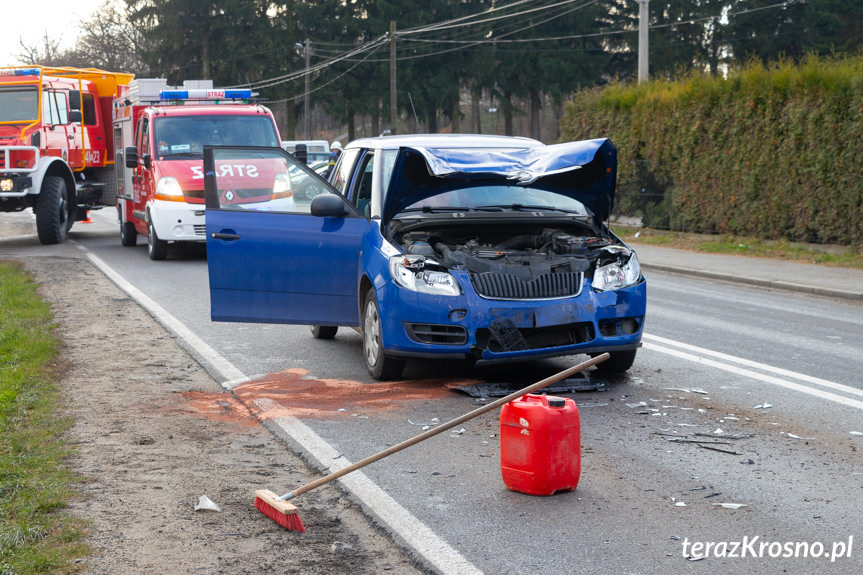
point(261, 180)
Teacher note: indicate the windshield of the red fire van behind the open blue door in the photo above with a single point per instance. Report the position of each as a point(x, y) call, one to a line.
point(180, 136)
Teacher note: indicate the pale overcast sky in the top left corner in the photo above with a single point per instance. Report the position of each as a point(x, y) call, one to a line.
point(28, 20)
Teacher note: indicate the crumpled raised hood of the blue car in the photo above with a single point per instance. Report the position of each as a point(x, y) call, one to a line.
point(584, 170)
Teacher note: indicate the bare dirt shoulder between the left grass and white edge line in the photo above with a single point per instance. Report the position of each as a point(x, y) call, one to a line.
point(153, 432)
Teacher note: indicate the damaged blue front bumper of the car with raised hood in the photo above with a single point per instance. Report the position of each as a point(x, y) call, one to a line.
point(492, 331)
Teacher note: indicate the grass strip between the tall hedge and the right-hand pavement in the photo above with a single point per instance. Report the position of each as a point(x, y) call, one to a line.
point(839, 256)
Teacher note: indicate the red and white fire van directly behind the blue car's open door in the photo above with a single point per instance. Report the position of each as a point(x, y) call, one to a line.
point(161, 131)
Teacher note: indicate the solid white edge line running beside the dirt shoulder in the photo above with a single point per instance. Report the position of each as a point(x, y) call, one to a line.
point(407, 527)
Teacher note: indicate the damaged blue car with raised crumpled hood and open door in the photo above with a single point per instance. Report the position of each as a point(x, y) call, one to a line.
point(488, 248)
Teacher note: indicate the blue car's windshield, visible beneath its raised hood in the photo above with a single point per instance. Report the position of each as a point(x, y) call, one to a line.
point(493, 198)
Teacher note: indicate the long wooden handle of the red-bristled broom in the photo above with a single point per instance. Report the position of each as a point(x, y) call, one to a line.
point(443, 427)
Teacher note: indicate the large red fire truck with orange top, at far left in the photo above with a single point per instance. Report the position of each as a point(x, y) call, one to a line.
point(56, 151)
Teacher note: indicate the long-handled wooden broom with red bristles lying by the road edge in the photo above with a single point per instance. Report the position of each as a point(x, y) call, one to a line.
point(286, 514)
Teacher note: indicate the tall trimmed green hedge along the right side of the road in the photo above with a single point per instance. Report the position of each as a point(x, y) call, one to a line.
point(774, 152)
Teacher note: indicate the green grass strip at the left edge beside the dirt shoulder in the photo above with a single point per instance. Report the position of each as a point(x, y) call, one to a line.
point(36, 536)
